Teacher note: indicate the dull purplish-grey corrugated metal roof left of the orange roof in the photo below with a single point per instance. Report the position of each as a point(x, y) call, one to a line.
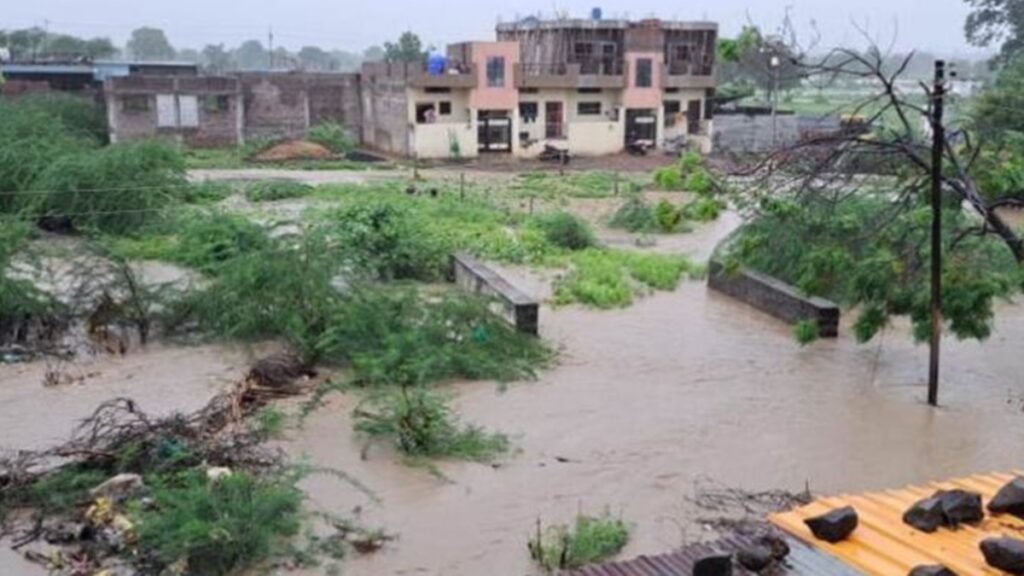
point(802, 560)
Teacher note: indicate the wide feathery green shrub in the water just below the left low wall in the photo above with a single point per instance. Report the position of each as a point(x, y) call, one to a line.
point(403, 338)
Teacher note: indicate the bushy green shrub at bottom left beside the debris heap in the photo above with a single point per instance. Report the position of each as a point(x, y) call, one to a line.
point(220, 527)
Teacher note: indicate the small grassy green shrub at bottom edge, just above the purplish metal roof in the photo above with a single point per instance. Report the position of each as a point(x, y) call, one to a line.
point(589, 541)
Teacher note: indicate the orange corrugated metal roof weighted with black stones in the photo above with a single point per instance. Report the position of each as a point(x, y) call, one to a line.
point(883, 545)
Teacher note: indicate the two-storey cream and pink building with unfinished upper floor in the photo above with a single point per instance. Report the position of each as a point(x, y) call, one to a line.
point(588, 87)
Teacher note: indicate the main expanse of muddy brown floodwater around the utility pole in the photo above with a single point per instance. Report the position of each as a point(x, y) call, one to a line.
point(648, 401)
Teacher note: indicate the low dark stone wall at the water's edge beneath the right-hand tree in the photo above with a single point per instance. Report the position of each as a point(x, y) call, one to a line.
point(775, 298)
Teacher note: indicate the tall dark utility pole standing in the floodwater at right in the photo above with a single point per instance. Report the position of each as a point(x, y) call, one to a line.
point(938, 144)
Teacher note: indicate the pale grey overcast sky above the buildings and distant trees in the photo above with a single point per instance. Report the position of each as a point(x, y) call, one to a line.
point(924, 25)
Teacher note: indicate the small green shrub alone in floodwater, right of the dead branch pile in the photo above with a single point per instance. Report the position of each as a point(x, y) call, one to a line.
point(423, 425)
